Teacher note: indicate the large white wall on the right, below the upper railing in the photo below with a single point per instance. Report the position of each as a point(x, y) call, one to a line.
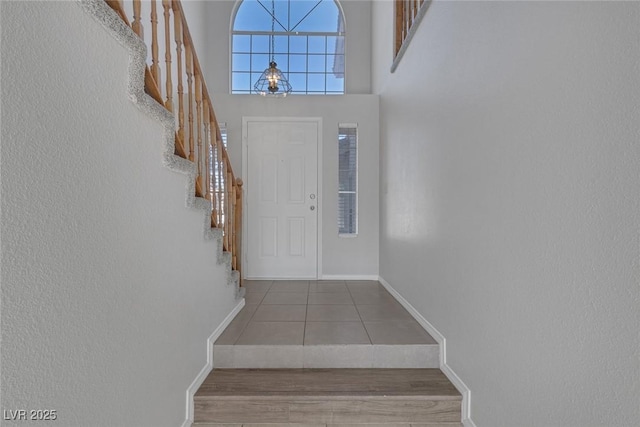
point(510, 212)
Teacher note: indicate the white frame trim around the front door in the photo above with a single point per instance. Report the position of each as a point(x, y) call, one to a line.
point(245, 180)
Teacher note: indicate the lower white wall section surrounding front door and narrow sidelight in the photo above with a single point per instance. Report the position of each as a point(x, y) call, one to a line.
point(346, 257)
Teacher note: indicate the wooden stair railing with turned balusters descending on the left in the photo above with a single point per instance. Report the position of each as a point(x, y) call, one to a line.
point(198, 137)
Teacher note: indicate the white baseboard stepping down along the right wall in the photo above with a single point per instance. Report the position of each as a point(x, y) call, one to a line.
point(444, 367)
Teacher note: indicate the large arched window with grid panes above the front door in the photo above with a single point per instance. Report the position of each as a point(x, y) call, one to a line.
point(308, 44)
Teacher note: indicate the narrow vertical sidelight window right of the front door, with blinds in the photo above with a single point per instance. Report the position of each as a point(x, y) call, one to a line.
point(347, 180)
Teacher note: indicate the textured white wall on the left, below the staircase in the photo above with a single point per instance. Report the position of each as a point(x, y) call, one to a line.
point(109, 290)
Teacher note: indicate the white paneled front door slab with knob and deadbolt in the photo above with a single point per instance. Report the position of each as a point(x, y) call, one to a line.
point(282, 198)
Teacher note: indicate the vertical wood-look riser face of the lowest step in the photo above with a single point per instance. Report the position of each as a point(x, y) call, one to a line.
point(322, 411)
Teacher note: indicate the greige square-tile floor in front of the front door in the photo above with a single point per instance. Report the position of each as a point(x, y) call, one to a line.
point(322, 313)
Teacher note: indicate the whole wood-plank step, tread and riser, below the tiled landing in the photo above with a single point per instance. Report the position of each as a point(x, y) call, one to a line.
point(327, 397)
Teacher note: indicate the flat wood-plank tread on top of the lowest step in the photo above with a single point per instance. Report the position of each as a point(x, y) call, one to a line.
point(337, 383)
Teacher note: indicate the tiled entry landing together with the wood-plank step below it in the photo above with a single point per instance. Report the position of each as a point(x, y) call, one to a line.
point(325, 353)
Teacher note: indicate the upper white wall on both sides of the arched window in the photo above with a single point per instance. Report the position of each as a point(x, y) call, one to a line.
point(215, 40)
